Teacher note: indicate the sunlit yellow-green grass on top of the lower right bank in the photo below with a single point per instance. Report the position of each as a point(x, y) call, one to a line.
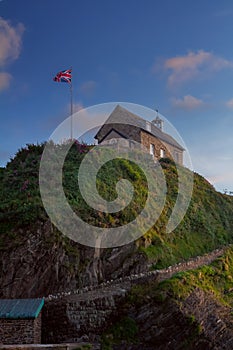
point(215, 278)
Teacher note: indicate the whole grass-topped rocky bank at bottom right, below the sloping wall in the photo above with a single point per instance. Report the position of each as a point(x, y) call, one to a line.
point(199, 301)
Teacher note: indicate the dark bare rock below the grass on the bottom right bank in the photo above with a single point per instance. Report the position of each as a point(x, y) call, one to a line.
point(198, 323)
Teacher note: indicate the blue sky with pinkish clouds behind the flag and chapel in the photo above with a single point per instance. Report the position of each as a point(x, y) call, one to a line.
point(172, 55)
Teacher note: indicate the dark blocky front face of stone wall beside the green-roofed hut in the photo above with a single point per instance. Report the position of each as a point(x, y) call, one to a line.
point(78, 318)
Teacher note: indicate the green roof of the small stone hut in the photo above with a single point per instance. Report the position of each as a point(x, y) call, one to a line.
point(20, 308)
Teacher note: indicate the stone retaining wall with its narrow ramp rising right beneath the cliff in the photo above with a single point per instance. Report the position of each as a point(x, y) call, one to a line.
point(68, 317)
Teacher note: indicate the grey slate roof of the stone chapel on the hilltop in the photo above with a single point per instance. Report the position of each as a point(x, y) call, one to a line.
point(122, 115)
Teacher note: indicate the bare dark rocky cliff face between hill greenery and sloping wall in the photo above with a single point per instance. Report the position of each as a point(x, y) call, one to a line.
point(39, 262)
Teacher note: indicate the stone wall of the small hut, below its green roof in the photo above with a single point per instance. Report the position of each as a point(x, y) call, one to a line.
point(21, 331)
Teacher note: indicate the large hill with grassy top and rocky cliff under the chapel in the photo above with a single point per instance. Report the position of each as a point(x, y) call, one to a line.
point(33, 251)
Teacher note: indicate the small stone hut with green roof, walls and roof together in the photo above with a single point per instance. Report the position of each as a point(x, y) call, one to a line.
point(20, 321)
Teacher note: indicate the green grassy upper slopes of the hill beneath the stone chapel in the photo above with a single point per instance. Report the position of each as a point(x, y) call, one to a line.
point(207, 224)
